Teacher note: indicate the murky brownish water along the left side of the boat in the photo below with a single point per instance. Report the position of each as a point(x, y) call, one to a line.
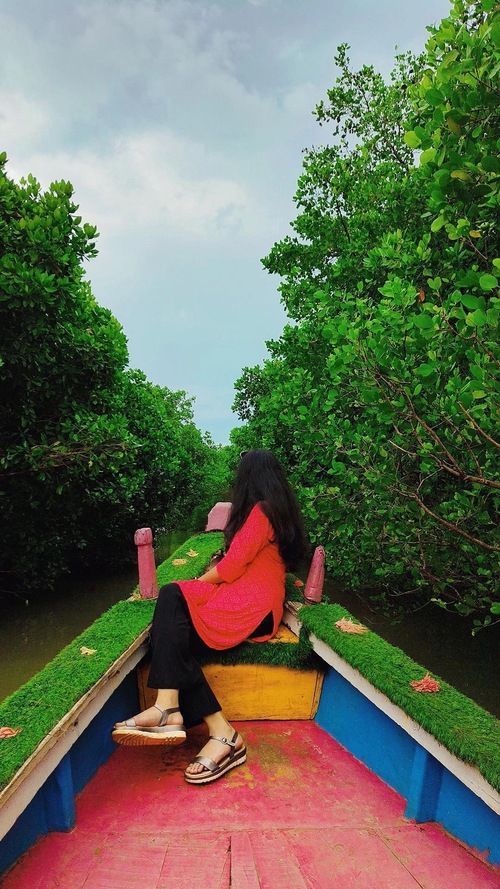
point(33, 631)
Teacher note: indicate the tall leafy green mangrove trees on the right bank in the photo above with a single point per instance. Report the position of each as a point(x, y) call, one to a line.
point(381, 398)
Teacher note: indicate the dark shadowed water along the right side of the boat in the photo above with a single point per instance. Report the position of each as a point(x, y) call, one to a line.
point(439, 640)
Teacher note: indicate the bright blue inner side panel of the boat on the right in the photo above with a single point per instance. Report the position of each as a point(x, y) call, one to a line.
point(431, 791)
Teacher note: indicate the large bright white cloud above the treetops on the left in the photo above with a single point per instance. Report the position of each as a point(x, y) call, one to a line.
point(151, 180)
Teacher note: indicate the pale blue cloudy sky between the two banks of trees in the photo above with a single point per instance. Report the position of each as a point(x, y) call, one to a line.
point(181, 125)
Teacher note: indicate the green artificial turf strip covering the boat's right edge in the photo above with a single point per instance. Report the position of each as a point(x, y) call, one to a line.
point(461, 725)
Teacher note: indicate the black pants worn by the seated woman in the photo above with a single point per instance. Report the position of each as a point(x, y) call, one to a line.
point(174, 645)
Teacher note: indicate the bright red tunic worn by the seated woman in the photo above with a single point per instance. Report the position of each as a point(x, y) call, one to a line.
point(253, 584)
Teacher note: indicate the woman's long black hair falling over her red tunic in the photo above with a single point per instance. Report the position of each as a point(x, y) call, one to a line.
point(260, 479)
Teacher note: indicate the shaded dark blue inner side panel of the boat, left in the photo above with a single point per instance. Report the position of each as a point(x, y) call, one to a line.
point(53, 807)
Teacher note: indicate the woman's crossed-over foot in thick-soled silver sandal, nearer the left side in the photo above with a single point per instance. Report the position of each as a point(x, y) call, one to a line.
point(152, 726)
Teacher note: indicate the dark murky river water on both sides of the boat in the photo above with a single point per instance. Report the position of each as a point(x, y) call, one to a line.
point(34, 631)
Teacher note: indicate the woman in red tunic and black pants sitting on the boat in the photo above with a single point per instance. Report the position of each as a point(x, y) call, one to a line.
point(240, 598)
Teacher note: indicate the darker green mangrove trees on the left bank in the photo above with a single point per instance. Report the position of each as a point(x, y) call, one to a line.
point(89, 451)
